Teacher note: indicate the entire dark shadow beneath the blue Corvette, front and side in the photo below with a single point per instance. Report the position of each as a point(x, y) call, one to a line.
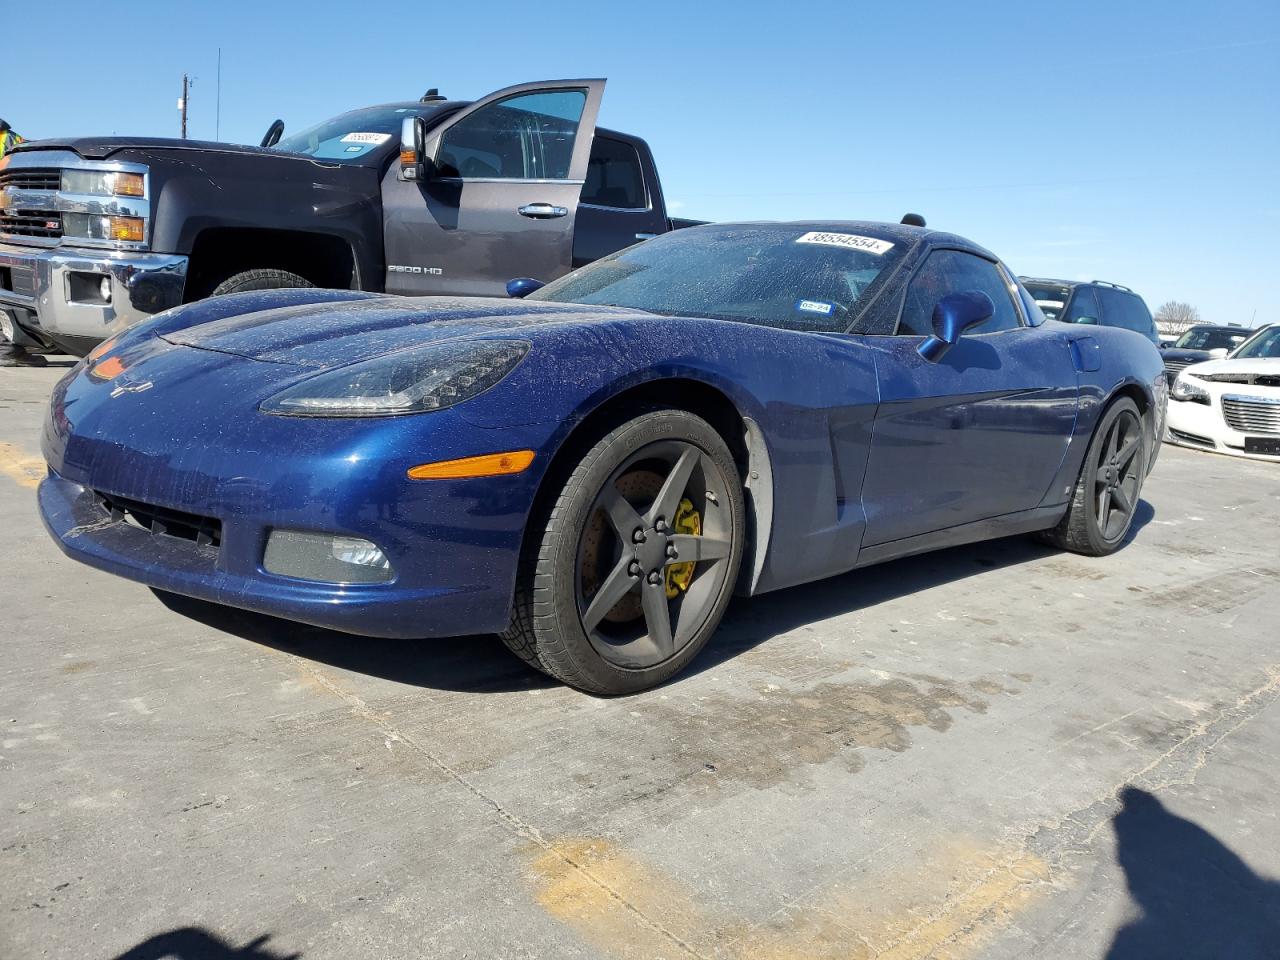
point(482, 664)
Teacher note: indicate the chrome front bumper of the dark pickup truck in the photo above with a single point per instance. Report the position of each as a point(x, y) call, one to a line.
point(56, 296)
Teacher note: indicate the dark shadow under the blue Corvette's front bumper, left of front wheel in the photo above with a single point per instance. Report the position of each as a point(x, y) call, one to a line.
point(479, 665)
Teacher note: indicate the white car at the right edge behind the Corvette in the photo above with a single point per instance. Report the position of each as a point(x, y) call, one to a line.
point(1232, 406)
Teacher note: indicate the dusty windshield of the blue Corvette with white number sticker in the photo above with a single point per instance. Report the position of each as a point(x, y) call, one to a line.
point(787, 277)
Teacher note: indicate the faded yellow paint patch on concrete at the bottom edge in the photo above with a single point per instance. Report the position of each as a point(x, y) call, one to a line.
point(628, 909)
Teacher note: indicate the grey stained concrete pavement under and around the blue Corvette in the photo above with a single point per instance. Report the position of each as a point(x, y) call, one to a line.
point(998, 751)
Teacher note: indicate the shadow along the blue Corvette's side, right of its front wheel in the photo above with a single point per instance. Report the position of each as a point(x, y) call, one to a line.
point(752, 621)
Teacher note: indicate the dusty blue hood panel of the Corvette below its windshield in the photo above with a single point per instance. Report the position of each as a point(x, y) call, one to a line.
point(323, 336)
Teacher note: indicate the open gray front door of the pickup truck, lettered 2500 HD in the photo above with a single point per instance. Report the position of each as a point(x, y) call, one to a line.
point(501, 195)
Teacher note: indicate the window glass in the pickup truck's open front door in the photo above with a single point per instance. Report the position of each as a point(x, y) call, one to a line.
point(525, 138)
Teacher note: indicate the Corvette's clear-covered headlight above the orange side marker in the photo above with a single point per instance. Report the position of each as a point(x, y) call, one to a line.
point(414, 381)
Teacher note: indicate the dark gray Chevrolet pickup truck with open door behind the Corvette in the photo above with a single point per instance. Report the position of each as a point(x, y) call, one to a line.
point(426, 198)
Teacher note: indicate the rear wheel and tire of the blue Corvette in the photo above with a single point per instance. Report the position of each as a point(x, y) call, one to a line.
point(1092, 524)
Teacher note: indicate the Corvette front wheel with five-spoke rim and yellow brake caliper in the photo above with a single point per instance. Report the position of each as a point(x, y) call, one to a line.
point(580, 538)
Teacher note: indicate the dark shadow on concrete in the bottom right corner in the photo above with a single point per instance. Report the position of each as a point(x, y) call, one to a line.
point(1196, 898)
